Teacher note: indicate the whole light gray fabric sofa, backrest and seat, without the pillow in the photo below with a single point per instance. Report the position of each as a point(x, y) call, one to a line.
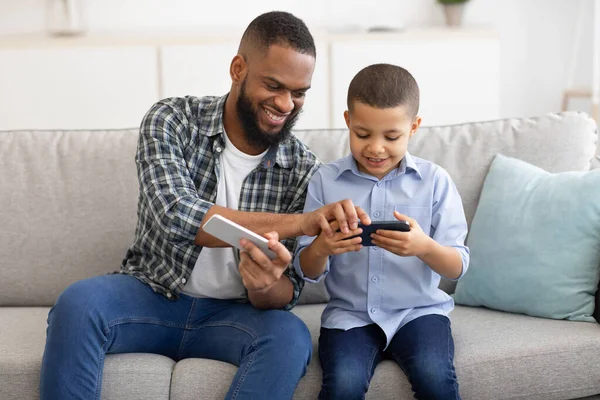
point(68, 209)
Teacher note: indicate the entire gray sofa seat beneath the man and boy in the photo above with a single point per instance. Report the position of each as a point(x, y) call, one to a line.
point(498, 356)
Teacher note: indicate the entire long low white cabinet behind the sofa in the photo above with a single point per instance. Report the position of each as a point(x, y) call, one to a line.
point(110, 81)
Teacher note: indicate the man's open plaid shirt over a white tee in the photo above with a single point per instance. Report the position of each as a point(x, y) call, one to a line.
point(178, 165)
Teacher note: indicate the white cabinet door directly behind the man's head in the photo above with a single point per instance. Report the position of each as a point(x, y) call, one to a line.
point(203, 70)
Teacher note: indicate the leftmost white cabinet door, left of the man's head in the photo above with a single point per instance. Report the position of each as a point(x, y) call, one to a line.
point(80, 87)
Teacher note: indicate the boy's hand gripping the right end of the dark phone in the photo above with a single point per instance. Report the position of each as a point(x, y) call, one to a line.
point(405, 244)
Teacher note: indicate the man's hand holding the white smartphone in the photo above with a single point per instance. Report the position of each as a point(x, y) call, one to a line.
point(258, 272)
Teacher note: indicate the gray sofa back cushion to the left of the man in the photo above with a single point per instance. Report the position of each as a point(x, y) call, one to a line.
point(68, 209)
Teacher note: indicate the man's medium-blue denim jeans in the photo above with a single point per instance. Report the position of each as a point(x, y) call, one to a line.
point(119, 314)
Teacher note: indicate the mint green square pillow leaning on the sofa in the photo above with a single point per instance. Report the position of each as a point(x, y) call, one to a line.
point(534, 242)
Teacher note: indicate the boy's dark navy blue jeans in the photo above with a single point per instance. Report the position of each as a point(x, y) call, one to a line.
point(423, 348)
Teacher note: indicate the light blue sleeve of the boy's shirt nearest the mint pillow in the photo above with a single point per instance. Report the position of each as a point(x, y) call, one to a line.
point(449, 225)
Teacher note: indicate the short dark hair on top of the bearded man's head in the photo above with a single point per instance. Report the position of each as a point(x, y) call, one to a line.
point(277, 28)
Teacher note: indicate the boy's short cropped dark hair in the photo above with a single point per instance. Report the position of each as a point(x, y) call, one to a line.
point(384, 86)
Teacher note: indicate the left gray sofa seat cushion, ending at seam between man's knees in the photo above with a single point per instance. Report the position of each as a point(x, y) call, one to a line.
point(126, 376)
